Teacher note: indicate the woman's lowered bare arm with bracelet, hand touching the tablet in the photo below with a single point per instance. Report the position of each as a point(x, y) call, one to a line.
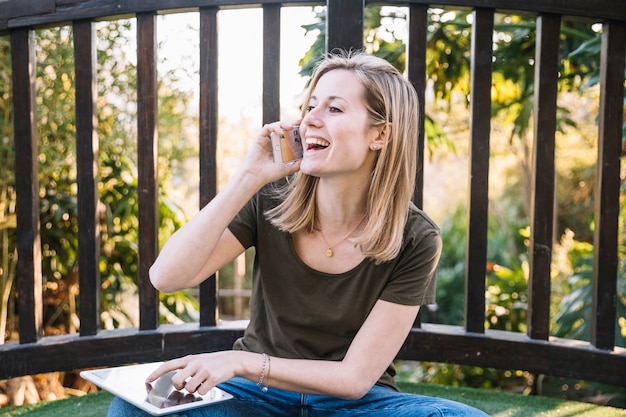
point(372, 350)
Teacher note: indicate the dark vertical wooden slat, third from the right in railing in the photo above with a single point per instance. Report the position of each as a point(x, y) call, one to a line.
point(478, 204)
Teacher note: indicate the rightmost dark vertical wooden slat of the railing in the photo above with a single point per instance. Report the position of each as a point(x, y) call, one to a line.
point(607, 204)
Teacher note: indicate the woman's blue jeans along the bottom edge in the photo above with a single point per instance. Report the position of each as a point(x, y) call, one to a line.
point(250, 401)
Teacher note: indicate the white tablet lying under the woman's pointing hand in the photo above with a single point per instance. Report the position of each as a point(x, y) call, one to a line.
point(158, 398)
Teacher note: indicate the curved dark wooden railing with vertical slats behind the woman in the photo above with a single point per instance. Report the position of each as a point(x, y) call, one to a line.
point(535, 351)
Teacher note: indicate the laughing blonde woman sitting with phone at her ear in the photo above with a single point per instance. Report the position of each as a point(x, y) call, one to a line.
point(343, 258)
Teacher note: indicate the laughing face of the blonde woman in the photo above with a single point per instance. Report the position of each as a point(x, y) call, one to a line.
point(335, 130)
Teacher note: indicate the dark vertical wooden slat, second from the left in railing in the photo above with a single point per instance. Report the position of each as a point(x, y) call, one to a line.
point(87, 176)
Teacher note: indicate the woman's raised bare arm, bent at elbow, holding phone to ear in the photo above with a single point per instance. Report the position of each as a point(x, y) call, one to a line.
point(204, 244)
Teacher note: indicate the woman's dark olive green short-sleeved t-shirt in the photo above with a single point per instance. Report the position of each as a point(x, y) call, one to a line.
point(300, 313)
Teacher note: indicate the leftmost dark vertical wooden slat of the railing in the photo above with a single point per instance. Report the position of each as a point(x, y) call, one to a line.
point(28, 273)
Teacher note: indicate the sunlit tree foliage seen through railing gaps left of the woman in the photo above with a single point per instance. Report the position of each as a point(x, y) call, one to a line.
point(117, 182)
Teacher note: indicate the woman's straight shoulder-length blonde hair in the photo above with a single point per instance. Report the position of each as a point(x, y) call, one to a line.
point(390, 100)
